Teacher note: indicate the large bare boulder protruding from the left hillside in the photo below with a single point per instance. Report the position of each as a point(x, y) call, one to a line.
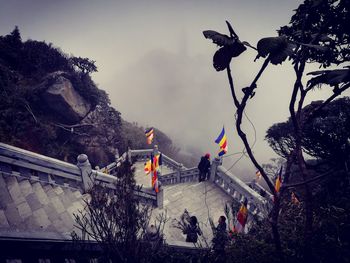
point(61, 97)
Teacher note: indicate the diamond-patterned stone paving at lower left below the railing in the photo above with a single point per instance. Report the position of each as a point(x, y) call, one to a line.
point(31, 207)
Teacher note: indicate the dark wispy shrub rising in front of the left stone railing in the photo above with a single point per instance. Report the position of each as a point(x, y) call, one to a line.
point(118, 220)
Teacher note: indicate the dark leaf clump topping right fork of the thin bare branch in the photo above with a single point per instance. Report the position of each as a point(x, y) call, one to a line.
point(277, 48)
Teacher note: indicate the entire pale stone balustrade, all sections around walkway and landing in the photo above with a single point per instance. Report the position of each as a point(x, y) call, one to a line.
point(24, 163)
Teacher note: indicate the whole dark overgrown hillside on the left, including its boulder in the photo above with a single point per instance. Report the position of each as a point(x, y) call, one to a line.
point(49, 104)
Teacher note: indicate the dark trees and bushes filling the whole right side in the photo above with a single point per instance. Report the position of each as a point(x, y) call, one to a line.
point(318, 32)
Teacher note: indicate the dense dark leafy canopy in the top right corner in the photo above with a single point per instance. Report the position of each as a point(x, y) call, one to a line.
point(323, 24)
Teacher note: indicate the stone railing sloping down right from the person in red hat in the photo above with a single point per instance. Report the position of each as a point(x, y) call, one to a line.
point(238, 190)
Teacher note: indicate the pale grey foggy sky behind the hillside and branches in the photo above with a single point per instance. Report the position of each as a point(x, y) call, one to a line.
point(157, 67)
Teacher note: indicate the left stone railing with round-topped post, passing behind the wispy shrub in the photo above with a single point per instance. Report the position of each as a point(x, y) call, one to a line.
point(22, 163)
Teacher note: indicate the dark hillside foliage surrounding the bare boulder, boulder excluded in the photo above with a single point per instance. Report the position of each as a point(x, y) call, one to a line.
point(24, 118)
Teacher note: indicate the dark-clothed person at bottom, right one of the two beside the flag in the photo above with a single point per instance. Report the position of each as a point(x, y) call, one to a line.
point(220, 239)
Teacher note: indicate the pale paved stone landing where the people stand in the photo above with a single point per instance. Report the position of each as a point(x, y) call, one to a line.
point(202, 200)
